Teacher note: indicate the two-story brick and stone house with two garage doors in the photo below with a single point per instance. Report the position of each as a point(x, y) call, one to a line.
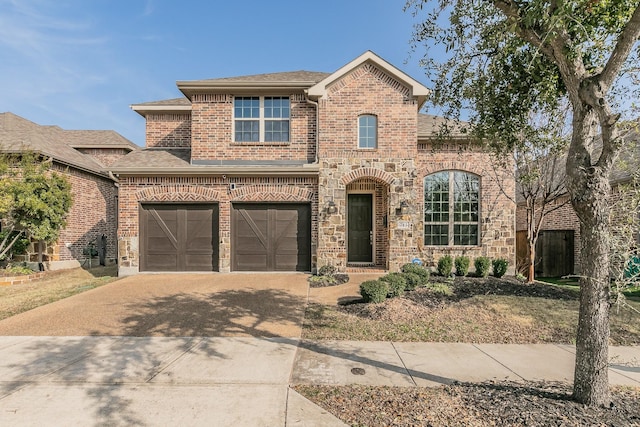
point(292, 171)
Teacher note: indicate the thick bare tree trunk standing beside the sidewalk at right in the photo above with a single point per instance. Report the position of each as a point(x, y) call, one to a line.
point(591, 381)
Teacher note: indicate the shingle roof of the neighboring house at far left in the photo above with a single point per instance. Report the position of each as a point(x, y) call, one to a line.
point(18, 134)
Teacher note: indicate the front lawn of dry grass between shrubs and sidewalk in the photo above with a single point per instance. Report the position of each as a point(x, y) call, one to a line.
point(479, 311)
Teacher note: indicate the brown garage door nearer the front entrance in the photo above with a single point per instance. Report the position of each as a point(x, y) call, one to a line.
point(271, 237)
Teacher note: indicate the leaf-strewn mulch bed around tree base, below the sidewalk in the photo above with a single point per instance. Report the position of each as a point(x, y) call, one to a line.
point(464, 404)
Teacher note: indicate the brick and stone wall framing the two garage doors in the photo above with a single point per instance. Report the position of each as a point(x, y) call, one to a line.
point(209, 189)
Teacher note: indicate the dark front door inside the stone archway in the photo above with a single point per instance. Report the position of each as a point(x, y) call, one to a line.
point(360, 231)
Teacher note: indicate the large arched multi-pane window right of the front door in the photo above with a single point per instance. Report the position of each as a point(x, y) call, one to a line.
point(451, 209)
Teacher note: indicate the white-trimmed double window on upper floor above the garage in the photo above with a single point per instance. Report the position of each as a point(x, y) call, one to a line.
point(261, 118)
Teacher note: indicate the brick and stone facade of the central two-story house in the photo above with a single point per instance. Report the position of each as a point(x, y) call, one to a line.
point(392, 172)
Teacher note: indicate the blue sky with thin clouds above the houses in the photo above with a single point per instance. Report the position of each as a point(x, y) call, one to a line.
point(80, 64)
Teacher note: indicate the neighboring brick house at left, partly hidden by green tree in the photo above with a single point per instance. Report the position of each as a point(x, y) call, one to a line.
point(82, 156)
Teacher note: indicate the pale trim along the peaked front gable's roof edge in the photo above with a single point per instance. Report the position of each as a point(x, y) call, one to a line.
point(419, 91)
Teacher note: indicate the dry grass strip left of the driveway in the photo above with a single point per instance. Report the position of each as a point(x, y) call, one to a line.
point(55, 286)
